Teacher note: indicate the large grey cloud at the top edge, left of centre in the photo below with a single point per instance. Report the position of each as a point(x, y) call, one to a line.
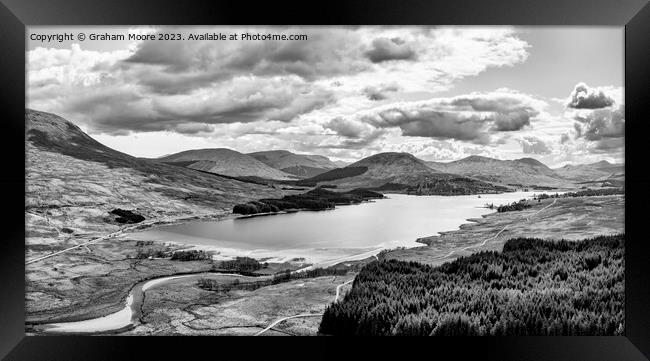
point(177, 66)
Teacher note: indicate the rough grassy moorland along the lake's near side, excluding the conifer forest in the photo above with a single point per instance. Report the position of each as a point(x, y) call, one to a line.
point(93, 281)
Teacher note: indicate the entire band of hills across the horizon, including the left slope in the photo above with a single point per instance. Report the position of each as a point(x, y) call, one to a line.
point(67, 168)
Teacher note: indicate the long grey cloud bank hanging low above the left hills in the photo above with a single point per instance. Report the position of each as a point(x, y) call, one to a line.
point(114, 109)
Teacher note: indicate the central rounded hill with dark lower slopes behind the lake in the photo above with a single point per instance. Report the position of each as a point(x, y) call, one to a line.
point(401, 172)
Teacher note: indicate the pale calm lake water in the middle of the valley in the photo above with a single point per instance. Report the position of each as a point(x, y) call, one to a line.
point(343, 233)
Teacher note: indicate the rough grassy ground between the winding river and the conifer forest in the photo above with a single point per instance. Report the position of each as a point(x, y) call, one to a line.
point(184, 308)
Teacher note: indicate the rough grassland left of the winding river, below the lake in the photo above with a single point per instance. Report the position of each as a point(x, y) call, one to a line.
point(93, 281)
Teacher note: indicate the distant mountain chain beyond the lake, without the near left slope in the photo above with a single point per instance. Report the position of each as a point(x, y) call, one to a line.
point(396, 168)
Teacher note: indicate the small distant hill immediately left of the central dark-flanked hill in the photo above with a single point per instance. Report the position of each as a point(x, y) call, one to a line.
point(300, 165)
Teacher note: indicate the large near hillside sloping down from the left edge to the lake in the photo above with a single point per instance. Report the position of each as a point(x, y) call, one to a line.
point(73, 182)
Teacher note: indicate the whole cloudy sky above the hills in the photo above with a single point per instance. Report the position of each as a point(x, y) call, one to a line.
point(441, 93)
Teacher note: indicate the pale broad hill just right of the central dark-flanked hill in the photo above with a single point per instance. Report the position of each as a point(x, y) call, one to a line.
point(524, 172)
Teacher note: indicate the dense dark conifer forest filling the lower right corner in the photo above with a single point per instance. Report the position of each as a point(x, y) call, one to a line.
point(532, 287)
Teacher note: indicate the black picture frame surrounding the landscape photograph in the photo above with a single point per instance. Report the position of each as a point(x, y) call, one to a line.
point(16, 14)
